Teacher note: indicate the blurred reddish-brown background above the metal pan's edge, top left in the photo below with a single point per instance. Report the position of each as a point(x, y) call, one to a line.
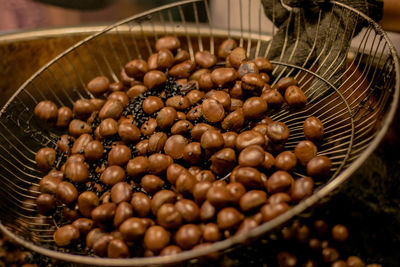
point(31, 14)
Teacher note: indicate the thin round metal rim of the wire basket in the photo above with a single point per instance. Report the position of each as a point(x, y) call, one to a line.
point(237, 239)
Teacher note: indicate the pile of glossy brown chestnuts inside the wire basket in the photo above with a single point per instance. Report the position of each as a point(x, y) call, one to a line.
point(177, 155)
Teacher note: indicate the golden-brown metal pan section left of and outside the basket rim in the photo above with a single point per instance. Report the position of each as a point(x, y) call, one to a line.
point(23, 53)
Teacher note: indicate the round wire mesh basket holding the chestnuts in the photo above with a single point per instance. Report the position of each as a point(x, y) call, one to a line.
point(358, 102)
